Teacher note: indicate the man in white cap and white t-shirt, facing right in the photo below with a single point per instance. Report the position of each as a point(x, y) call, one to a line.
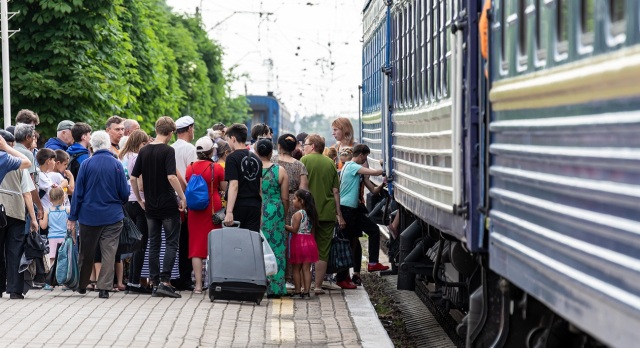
point(185, 155)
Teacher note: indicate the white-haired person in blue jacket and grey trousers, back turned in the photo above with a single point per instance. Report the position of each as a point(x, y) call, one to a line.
point(101, 190)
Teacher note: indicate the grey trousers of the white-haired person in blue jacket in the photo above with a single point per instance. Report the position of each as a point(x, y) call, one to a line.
point(106, 238)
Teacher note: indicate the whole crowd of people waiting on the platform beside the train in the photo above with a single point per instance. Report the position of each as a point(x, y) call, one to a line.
point(83, 183)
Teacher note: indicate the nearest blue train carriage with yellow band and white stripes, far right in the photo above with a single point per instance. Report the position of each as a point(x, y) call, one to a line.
point(565, 159)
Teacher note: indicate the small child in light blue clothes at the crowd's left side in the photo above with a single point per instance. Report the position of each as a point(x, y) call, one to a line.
point(55, 219)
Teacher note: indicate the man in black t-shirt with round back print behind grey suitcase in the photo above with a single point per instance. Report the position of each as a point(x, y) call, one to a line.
point(243, 171)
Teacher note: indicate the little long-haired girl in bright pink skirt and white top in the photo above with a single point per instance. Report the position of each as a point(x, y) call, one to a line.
point(303, 250)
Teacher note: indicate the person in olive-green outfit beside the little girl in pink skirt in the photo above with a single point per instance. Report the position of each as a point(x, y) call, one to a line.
point(325, 187)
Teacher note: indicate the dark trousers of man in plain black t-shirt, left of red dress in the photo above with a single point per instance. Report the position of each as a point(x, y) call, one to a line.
point(171, 226)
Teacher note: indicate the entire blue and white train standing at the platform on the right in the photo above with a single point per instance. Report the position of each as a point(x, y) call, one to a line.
point(514, 159)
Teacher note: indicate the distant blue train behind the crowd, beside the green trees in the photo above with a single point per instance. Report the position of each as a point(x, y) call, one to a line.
point(268, 109)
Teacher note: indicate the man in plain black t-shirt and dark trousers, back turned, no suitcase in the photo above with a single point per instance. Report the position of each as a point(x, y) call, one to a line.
point(156, 163)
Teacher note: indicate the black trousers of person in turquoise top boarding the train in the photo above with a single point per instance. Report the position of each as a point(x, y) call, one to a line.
point(358, 222)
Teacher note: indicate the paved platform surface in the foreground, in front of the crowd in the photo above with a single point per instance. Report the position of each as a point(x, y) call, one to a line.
point(65, 319)
